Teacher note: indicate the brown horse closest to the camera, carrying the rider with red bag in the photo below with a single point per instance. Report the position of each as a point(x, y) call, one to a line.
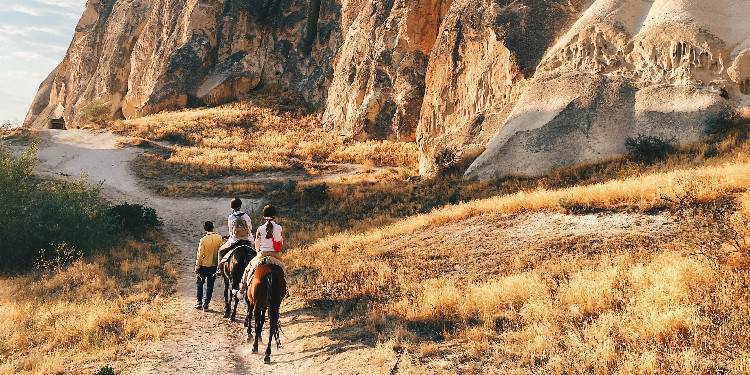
point(265, 291)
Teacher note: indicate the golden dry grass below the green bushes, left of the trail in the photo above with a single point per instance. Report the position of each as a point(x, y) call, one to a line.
point(108, 310)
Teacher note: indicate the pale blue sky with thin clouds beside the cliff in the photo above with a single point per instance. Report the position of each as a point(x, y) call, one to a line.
point(34, 35)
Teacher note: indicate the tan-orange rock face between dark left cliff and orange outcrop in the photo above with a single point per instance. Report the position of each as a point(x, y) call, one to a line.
point(379, 79)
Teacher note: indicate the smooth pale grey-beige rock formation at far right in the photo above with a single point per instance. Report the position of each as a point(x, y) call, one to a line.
point(626, 68)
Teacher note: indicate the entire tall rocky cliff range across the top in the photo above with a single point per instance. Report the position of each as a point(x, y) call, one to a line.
point(536, 84)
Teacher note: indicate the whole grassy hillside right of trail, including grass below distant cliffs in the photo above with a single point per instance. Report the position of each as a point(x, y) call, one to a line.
point(386, 250)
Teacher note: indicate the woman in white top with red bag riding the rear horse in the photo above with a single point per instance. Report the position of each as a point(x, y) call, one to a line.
point(268, 241)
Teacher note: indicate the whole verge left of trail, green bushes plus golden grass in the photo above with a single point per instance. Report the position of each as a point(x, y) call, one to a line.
point(84, 284)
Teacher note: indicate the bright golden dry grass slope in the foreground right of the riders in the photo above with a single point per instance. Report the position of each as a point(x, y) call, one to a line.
point(630, 304)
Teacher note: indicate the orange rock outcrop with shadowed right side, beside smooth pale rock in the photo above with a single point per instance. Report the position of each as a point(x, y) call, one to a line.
point(485, 54)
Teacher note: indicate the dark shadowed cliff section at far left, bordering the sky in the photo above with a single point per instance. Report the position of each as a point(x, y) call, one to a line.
point(145, 56)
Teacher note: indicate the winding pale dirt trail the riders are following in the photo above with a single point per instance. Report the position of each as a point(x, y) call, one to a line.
point(203, 342)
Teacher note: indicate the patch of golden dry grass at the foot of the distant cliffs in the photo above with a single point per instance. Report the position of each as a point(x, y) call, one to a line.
point(246, 138)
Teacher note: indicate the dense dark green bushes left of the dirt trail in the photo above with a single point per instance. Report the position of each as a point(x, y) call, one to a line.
point(44, 222)
